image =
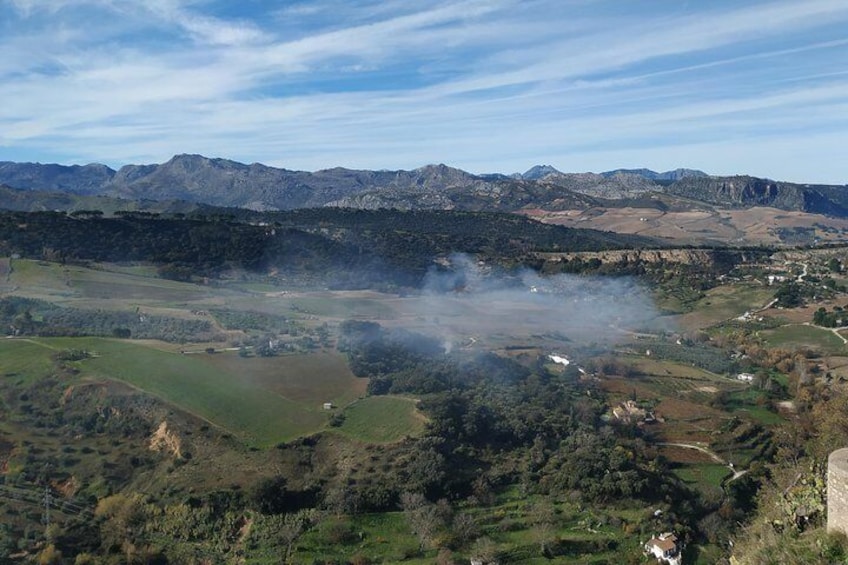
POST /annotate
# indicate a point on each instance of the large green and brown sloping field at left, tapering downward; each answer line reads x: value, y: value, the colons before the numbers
x: 239, y: 395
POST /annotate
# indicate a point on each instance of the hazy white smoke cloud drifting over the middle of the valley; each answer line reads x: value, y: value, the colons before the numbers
x: 466, y: 300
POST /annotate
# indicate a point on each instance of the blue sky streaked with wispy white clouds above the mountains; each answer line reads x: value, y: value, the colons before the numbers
x: 483, y: 85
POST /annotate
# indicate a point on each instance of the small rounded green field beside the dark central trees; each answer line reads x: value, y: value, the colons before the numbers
x: 382, y: 419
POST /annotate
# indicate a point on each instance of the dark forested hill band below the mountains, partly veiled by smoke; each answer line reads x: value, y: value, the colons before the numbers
x: 344, y: 248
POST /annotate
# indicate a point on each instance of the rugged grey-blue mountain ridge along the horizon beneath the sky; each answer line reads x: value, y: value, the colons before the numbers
x: 222, y: 182
